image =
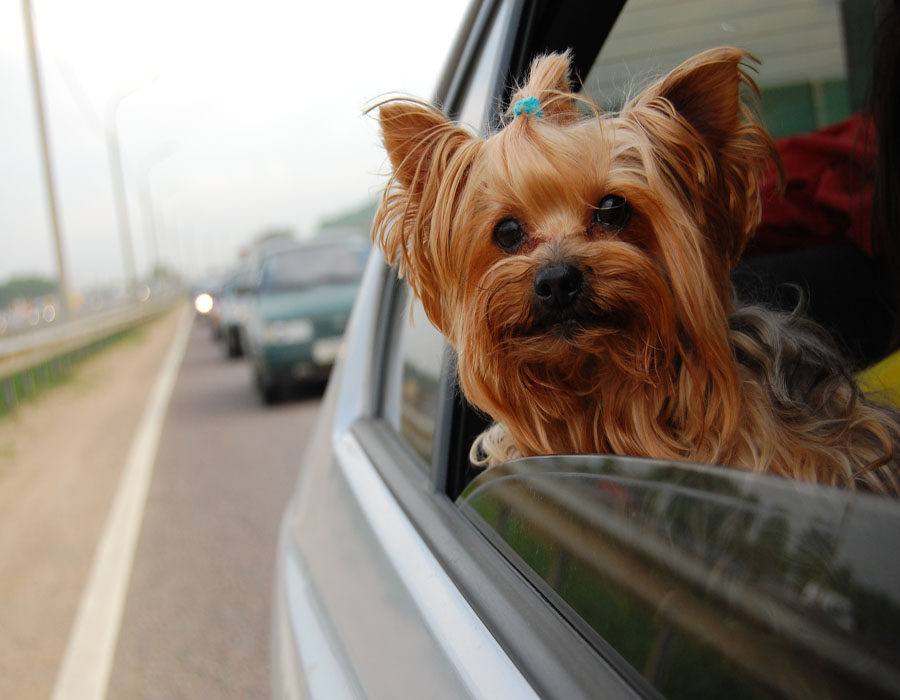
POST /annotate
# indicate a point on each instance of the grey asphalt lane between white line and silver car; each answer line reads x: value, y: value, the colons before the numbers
x: 196, y: 622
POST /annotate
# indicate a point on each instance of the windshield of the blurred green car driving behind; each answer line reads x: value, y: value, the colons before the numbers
x: 307, y: 267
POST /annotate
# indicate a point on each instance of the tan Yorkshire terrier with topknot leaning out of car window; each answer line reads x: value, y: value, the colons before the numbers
x: 579, y: 264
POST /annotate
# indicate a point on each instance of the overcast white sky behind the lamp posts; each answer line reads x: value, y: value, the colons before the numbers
x: 254, y: 120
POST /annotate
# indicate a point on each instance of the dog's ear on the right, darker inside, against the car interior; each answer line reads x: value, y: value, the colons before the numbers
x: 703, y: 119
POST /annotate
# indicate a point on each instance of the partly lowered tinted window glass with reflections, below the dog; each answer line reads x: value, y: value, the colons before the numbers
x: 771, y: 587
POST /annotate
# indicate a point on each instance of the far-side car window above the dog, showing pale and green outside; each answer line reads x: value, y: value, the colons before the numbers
x: 802, y: 74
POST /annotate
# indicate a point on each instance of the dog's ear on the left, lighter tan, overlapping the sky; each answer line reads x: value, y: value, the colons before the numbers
x: 430, y: 157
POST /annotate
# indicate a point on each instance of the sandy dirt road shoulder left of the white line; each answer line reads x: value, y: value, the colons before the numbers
x: 61, y: 458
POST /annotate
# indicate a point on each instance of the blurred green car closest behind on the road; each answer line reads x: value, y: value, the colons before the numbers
x: 303, y: 298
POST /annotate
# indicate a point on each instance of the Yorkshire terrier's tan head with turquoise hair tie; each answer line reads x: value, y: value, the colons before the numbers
x: 575, y: 253
